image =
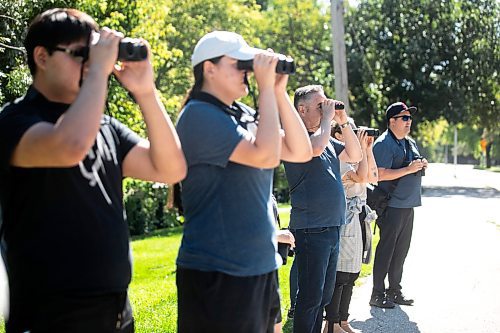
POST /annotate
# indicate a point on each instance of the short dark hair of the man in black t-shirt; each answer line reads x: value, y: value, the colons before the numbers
x: 57, y: 26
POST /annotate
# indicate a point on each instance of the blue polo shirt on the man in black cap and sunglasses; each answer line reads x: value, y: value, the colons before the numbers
x: 390, y: 153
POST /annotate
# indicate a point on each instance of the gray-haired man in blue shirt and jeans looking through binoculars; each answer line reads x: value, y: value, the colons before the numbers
x: 318, y: 204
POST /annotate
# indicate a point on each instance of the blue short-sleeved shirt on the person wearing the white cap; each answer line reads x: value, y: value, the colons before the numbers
x: 229, y: 224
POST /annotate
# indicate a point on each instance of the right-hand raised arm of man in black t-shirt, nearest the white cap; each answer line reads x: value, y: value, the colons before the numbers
x: 160, y: 158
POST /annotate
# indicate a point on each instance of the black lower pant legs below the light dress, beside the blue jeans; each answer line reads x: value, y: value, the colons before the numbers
x: 338, y: 309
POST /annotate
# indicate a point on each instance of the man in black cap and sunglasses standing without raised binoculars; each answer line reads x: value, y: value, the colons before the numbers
x: 400, y: 169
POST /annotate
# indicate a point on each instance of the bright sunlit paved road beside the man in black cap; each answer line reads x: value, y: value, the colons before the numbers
x: 453, y: 268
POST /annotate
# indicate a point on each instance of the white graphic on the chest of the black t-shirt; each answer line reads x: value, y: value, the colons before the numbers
x: 99, y: 153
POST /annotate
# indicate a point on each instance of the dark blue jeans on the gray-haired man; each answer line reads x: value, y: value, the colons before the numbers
x: 317, y: 251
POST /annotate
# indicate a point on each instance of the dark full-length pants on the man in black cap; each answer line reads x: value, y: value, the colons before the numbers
x: 395, y: 236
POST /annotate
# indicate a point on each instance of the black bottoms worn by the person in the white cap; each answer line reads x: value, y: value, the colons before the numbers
x: 214, y: 302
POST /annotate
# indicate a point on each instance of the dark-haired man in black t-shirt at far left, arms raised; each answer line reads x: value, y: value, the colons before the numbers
x: 61, y: 168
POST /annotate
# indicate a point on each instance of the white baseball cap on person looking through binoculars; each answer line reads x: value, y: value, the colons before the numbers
x: 220, y: 43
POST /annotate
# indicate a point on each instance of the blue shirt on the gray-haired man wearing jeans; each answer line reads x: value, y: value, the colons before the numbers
x: 316, y: 191
